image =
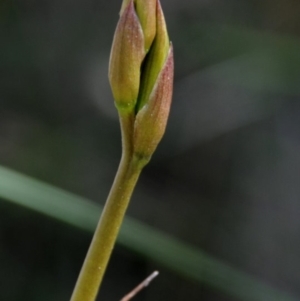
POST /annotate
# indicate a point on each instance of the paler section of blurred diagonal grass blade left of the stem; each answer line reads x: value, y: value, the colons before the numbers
x: 49, y: 200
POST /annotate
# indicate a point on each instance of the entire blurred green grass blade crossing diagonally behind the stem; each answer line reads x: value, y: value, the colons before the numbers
x: 149, y: 242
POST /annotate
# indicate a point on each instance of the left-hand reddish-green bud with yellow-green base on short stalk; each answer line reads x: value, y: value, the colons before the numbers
x: 126, y: 58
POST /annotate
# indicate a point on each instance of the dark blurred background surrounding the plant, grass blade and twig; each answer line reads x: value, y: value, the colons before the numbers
x: 225, y: 178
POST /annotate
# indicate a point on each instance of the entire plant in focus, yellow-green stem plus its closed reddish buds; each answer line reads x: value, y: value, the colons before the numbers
x: 141, y: 72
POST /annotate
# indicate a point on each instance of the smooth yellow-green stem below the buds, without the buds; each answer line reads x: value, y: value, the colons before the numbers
x: 107, y: 230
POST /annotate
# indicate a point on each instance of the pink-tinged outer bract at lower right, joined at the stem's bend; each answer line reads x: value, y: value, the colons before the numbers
x: 151, y: 120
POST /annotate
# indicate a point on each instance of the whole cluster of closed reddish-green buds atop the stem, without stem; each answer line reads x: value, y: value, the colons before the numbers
x: 142, y: 80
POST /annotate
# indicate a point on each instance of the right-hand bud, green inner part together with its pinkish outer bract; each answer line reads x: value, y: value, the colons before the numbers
x: 155, y: 94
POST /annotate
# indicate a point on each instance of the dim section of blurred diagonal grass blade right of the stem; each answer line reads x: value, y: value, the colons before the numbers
x: 196, y: 264
